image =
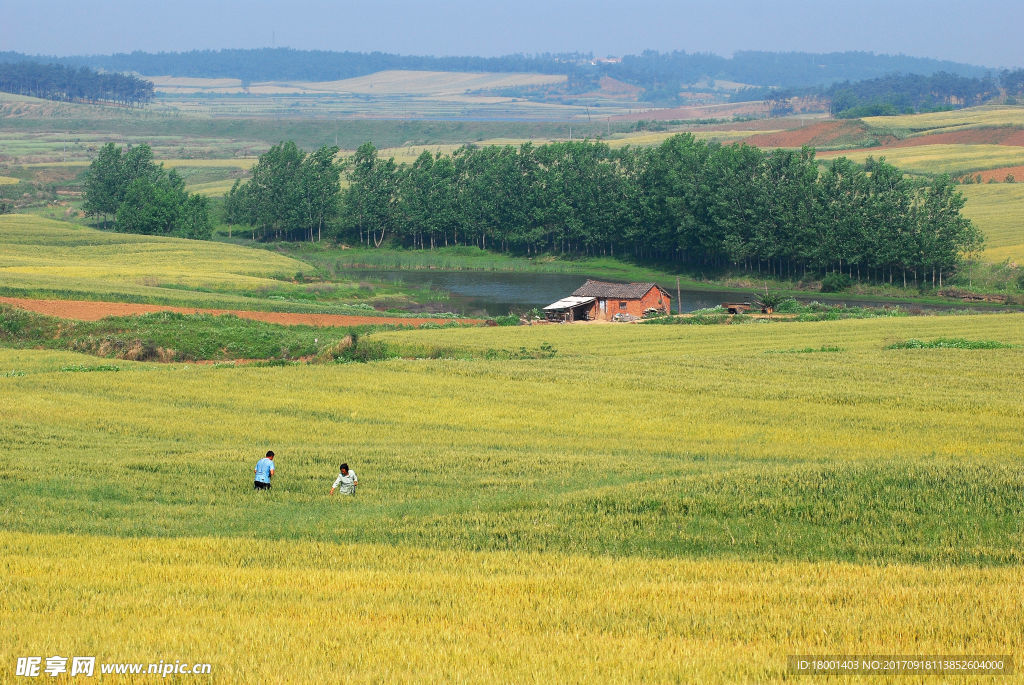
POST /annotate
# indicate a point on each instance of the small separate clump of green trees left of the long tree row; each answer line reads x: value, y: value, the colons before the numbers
x: 142, y: 197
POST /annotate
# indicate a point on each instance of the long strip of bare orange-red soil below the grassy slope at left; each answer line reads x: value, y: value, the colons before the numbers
x: 93, y: 312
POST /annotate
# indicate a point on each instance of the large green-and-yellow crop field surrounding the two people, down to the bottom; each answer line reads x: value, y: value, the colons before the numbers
x: 644, y: 504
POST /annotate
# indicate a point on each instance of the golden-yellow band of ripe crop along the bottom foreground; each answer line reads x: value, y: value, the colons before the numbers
x: 281, y: 612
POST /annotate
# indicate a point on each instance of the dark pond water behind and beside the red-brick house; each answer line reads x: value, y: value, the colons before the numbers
x: 498, y: 293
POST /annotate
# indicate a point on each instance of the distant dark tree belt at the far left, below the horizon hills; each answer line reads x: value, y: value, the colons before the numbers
x: 57, y: 82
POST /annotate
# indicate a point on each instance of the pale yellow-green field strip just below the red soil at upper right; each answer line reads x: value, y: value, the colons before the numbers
x: 951, y: 159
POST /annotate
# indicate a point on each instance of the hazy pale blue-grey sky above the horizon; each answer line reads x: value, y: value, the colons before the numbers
x: 980, y: 32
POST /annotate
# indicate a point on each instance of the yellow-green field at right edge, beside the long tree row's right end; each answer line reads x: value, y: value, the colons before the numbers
x: 999, y: 210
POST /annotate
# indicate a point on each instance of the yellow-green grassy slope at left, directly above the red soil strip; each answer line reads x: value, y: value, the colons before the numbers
x: 46, y: 259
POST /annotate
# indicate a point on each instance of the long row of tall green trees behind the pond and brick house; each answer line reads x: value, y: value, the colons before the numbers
x: 686, y: 203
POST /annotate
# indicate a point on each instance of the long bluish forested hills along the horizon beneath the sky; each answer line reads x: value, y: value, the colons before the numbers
x: 660, y: 74
